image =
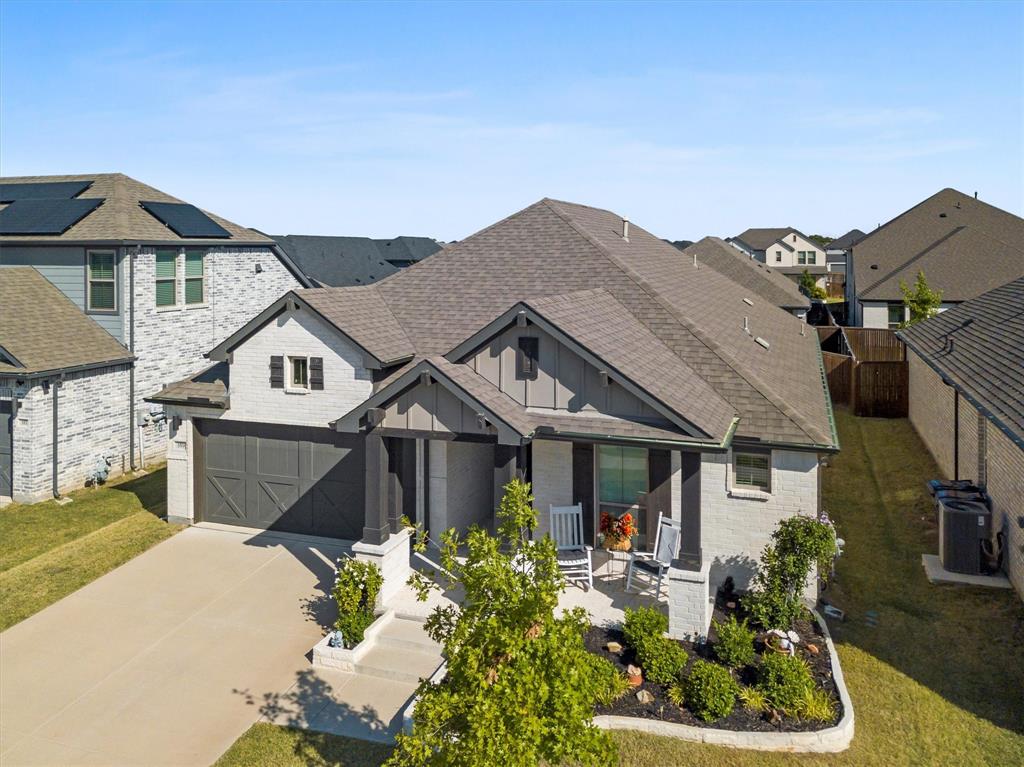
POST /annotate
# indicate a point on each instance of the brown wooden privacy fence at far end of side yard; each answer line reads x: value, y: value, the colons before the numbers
x: 873, y: 378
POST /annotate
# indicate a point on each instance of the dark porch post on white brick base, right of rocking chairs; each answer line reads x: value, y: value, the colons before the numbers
x: 691, y: 603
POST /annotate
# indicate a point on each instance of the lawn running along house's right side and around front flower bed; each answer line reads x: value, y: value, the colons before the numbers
x: 938, y: 681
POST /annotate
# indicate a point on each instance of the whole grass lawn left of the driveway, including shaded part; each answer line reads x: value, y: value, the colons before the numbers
x: 51, y: 550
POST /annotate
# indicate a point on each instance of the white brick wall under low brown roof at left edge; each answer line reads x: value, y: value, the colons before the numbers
x: 93, y: 422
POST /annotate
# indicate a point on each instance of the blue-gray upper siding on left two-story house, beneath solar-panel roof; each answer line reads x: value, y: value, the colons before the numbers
x: 65, y: 268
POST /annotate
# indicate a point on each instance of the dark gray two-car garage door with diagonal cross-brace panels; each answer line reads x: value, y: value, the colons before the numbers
x: 294, y: 480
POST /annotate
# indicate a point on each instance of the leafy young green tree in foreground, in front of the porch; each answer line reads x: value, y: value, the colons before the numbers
x: 522, y: 688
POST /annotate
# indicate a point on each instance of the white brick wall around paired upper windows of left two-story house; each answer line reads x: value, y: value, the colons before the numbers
x: 170, y: 344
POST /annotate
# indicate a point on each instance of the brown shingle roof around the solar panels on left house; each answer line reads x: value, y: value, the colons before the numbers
x: 120, y: 219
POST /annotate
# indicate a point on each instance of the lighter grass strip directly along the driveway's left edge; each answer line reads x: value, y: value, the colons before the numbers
x: 46, y: 579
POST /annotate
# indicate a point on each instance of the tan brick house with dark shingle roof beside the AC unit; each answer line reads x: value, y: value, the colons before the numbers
x: 967, y: 402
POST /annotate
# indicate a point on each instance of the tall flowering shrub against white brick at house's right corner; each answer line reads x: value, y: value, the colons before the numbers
x: 798, y: 544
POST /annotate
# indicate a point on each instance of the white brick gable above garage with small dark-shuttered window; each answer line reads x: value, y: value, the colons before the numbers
x: 347, y: 382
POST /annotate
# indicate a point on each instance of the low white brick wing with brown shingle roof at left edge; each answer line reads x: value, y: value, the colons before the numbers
x: 71, y: 380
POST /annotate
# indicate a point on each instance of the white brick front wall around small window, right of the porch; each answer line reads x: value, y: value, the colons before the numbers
x: 735, y: 529
